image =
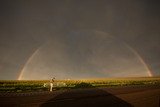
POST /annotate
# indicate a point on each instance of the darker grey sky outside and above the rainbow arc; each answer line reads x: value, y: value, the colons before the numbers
x: 26, y: 25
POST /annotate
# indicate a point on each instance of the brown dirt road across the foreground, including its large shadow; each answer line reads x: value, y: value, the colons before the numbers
x: 94, y: 97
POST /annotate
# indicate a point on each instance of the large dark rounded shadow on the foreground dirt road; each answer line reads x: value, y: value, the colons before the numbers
x: 86, y: 98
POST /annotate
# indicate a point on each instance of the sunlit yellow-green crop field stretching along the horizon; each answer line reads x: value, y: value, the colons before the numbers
x: 43, y: 85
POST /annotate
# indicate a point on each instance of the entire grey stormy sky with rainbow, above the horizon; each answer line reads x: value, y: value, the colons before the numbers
x: 79, y: 38
